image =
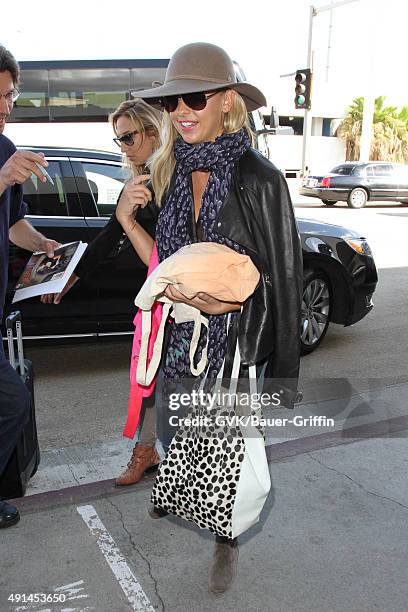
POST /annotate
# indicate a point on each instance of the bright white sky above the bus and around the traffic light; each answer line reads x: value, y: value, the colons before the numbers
x: 268, y: 38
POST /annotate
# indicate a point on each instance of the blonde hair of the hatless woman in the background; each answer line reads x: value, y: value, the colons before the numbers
x: 145, y: 119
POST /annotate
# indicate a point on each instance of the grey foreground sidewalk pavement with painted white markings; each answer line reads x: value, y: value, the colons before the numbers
x: 333, y: 537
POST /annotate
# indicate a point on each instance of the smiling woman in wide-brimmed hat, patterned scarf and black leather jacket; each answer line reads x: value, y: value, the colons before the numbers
x: 211, y: 185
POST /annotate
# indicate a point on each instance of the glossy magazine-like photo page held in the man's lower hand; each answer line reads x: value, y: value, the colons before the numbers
x: 44, y: 274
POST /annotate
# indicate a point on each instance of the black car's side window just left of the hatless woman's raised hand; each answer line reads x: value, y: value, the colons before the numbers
x: 105, y: 182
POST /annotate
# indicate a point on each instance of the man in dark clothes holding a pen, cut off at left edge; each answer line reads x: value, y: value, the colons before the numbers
x: 15, y: 168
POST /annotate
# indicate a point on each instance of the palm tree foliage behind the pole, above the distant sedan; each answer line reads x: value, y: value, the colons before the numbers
x: 390, y: 131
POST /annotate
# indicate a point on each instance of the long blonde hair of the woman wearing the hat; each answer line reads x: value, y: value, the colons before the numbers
x: 163, y: 162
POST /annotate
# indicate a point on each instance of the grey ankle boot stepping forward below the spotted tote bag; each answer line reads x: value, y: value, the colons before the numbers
x: 224, y: 566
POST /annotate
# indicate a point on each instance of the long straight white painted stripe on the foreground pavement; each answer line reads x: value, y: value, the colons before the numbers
x: 114, y: 558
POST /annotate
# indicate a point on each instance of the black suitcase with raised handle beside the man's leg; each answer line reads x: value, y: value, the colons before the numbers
x: 25, y: 459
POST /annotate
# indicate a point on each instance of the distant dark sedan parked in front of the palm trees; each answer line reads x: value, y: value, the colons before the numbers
x: 358, y: 183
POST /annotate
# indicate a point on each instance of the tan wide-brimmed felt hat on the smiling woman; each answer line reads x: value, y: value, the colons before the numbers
x: 202, y: 67
